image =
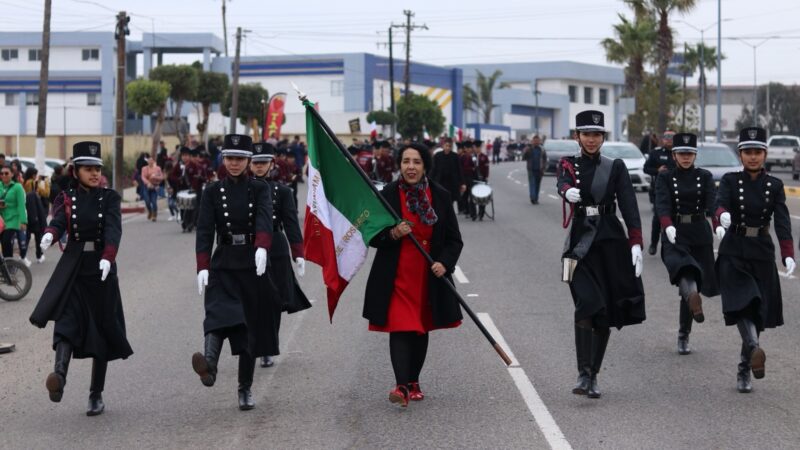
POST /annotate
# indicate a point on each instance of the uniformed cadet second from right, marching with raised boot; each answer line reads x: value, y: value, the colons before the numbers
x: 684, y: 196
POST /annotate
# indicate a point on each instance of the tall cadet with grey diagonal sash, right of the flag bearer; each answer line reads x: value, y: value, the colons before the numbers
x: 602, y: 264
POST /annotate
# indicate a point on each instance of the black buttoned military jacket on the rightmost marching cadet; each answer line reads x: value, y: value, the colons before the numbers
x: 754, y: 203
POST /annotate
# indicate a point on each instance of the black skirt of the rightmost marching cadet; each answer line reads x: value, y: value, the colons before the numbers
x: 751, y: 289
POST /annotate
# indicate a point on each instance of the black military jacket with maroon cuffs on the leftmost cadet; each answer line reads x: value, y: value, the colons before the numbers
x: 89, y: 216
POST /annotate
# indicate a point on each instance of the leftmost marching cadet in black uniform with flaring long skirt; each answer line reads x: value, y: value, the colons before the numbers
x: 82, y: 296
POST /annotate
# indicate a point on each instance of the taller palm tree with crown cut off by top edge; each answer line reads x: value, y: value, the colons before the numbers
x: 661, y: 9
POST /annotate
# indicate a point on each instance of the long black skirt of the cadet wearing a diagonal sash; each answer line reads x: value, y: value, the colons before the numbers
x: 605, y: 288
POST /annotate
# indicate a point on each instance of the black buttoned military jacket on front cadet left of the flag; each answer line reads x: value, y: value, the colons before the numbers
x: 233, y: 206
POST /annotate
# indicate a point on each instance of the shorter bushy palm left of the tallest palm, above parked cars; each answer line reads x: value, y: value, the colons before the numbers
x: 632, y: 45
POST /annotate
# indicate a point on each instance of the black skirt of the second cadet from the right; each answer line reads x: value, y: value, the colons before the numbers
x: 697, y: 260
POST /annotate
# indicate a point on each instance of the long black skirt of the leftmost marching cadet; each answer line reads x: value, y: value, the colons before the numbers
x: 92, y: 319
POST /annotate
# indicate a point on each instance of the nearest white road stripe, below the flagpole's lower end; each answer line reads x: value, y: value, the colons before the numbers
x: 536, y: 406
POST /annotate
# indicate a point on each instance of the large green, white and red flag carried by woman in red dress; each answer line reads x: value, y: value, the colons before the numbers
x: 343, y: 212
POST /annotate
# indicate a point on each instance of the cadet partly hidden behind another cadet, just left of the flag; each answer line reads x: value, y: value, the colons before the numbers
x: 287, y: 235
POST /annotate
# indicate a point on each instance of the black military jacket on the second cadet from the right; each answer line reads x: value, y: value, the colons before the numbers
x: 688, y: 192
